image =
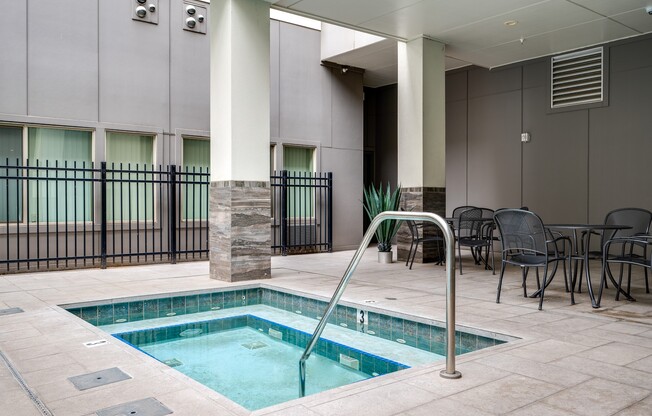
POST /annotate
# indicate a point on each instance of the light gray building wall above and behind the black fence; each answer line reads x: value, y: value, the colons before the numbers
x: 91, y: 66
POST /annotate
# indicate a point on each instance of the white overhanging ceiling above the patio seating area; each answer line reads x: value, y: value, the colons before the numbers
x: 474, y: 31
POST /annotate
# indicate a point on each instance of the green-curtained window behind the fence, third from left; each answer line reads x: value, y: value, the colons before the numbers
x: 132, y: 199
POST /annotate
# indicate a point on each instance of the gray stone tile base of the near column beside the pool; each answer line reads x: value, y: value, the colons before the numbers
x: 239, y: 230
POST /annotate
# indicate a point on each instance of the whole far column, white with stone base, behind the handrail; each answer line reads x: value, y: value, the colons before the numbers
x: 421, y: 135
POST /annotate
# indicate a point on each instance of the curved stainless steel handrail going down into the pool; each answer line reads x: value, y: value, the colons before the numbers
x: 450, y: 371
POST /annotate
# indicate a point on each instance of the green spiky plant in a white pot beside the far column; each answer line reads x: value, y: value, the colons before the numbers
x: 377, y: 201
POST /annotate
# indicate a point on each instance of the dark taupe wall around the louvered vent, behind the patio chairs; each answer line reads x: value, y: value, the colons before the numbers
x: 580, y: 164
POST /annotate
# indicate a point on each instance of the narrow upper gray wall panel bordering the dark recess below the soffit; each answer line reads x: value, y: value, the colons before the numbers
x: 346, y: 109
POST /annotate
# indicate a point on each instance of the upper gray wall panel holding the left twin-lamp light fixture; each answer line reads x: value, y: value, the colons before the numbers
x: 134, y: 66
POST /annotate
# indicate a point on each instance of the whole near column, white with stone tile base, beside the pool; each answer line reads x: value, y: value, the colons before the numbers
x: 239, y: 205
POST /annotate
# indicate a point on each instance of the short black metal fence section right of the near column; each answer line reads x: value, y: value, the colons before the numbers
x: 302, y: 212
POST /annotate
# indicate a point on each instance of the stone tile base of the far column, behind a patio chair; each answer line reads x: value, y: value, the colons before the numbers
x: 422, y: 199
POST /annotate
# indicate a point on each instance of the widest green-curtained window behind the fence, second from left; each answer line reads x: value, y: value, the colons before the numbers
x: 59, y: 200
